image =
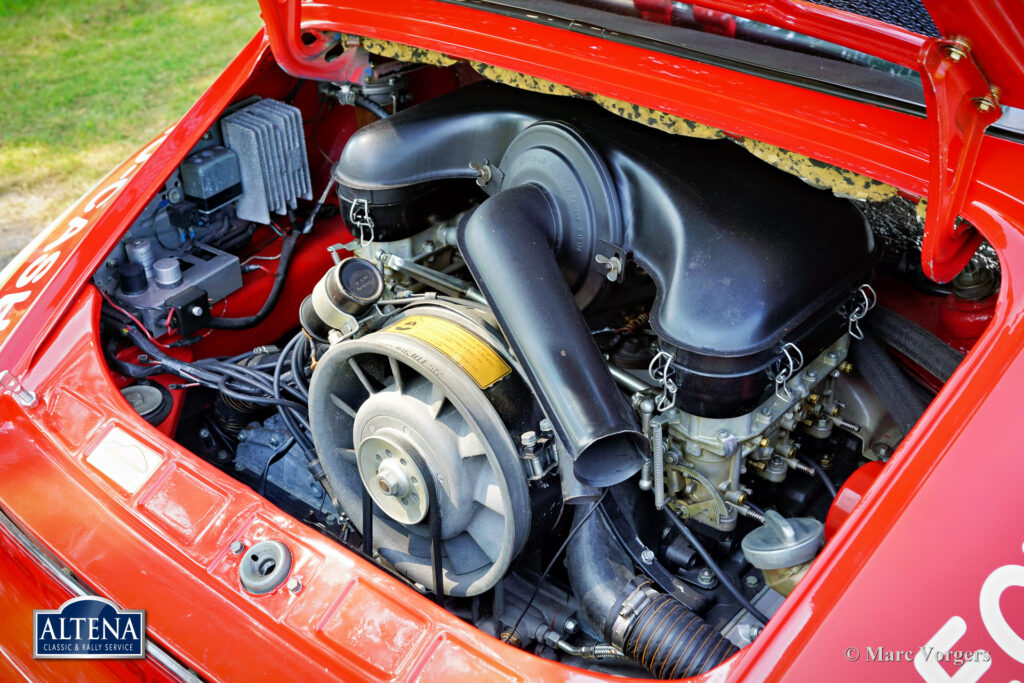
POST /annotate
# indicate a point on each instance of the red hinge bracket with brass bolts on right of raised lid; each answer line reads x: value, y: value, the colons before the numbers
x: 961, y: 105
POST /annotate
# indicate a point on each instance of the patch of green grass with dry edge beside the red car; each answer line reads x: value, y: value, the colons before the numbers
x: 83, y: 83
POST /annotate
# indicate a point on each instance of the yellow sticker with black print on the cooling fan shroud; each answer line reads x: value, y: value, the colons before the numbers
x: 466, y: 350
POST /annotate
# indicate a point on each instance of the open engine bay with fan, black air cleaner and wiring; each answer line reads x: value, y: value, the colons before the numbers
x: 593, y: 388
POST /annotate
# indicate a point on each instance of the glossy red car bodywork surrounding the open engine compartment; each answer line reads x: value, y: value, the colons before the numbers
x: 932, y: 556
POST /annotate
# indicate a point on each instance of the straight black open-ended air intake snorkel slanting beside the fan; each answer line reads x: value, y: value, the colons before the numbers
x: 507, y: 244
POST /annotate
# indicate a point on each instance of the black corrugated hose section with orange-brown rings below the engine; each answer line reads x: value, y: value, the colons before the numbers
x: 671, y: 642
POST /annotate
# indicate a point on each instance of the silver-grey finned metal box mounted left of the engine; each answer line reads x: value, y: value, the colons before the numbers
x: 271, y: 146
